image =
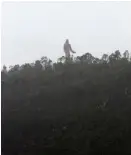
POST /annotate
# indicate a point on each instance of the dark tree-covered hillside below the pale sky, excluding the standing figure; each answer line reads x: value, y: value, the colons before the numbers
x: 79, y: 107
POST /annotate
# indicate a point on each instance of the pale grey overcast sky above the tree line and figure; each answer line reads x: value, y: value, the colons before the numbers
x: 32, y: 30
